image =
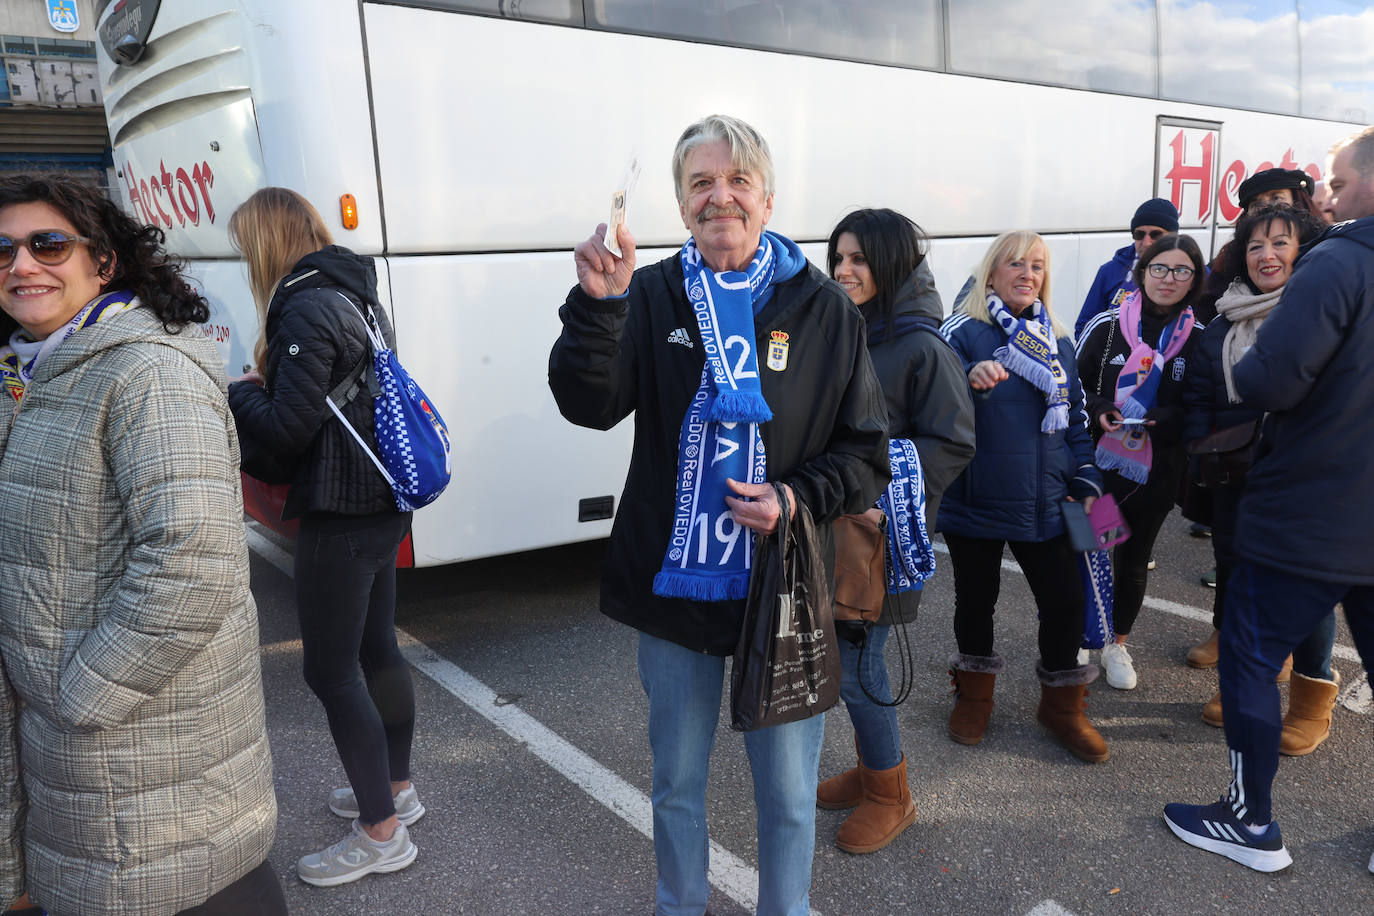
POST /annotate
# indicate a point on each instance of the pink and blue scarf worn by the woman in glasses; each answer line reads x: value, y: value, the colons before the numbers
x: 1127, y: 451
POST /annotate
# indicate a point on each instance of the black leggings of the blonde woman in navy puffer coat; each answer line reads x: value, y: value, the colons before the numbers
x: 1052, y: 572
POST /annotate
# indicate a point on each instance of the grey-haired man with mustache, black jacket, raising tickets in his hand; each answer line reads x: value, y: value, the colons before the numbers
x: 633, y: 343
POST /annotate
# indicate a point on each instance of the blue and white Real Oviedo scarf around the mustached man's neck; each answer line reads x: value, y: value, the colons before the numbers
x: 710, y: 554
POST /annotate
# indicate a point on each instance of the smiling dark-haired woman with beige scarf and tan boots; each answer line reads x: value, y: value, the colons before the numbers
x: 1269, y: 240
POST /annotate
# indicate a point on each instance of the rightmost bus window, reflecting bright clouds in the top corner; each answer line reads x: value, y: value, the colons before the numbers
x: 1338, y: 61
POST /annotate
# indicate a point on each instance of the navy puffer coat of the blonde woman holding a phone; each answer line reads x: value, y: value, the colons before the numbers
x: 1020, y: 476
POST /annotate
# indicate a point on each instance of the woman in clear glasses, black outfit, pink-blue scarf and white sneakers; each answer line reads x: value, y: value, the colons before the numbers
x: 1133, y: 360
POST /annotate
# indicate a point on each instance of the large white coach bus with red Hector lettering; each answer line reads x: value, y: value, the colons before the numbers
x: 480, y: 141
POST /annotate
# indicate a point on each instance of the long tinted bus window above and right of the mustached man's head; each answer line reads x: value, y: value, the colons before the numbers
x: 903, y: 32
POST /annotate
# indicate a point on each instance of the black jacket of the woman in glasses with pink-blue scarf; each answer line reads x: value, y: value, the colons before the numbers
x: 1103, y: 352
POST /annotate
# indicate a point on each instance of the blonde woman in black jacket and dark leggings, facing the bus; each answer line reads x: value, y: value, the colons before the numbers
x: 310, y: 296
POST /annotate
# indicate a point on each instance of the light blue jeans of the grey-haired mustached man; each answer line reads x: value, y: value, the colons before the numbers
x: 685, y: 691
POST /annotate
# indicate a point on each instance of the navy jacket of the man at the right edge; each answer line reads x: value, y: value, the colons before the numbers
x: 1310, y: 495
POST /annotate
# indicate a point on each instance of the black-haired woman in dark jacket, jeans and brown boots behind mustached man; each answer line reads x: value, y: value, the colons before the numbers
x: 880, y: 259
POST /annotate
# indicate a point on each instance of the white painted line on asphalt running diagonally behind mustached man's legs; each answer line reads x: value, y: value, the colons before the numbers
x: 730, y: 874
